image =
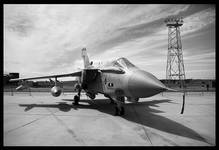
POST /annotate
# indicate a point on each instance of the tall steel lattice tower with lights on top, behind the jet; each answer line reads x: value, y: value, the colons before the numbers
x: 175, y: 66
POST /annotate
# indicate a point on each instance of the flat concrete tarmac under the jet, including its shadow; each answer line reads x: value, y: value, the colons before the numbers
x: 44, y: 120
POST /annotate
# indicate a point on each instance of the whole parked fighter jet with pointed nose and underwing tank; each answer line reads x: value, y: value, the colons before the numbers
x: 118, y: 80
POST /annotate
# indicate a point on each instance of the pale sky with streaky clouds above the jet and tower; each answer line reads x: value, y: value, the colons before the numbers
x: 47, y: 39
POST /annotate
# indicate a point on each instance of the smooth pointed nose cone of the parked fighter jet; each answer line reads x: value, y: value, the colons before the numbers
x: 144, y: 84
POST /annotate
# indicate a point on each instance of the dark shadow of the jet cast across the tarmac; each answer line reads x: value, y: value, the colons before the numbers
x: 140, y: 113
